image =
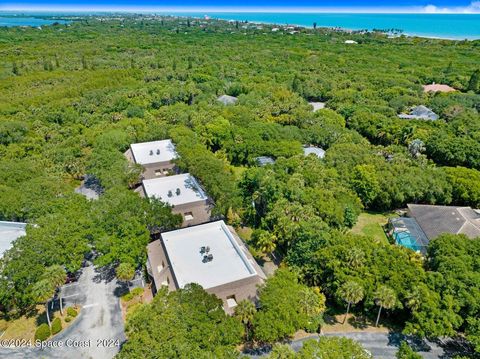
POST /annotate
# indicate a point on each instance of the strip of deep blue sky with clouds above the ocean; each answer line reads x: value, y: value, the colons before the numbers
x: 427, y: 6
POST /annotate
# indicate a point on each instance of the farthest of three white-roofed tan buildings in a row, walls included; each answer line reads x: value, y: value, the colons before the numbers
x: 156, y: 157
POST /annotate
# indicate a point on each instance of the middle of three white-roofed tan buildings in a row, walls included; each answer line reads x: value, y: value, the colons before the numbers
x: 183, y: 193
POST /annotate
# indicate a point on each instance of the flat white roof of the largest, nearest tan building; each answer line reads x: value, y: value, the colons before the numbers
x: 229, y: 262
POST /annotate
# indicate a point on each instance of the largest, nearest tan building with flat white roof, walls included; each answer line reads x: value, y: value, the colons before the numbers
x: 211, y: 255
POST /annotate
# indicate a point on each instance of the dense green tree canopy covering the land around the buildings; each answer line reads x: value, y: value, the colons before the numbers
x: 73, y: 97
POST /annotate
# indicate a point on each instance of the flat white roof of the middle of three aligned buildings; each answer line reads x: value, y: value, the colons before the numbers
x: 174, y: 190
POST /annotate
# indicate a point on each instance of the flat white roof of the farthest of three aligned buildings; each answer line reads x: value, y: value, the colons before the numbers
x: 152, y: 152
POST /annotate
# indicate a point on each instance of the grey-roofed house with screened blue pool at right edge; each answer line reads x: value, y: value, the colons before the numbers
x: 426, y: 222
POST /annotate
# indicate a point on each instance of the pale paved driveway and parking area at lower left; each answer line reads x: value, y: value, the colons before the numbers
x: 97, y: 332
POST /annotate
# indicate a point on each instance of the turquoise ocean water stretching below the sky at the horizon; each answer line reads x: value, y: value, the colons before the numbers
x: 443, y: 26
